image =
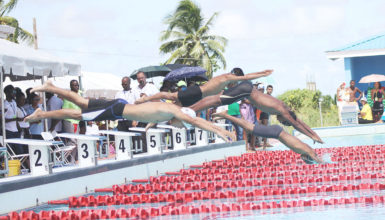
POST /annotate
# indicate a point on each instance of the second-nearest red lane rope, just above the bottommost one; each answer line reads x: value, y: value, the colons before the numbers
x: 75, y: 202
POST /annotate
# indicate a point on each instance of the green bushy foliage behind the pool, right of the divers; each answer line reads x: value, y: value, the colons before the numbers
x: 306, y: 105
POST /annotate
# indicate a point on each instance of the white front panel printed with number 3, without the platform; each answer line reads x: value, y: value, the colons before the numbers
x: 86, y: 153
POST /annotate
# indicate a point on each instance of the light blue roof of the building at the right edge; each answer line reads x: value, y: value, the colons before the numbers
x: 372, y: 46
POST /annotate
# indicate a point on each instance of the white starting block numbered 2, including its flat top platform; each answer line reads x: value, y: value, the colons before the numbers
x: 39, y: 157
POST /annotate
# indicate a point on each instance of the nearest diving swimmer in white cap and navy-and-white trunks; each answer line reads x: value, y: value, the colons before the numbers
x: 98, y: 110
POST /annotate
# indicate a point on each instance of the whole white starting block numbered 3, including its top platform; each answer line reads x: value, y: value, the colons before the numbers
x: 86, y: 146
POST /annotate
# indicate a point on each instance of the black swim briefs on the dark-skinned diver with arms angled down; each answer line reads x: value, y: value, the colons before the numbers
x: 236, y: 93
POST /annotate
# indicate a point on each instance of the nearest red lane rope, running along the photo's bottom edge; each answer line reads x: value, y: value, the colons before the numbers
x: 191, y: 210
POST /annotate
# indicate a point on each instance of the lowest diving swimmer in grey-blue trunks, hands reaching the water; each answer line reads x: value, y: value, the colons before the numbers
x: 274, y: 131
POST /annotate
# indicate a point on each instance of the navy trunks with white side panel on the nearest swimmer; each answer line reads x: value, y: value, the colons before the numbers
x: 100, y: 110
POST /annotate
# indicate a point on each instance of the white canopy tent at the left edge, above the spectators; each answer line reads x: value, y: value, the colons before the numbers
x: 18, y: 62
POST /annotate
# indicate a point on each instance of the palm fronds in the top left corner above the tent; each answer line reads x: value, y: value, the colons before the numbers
x: 20, y: 34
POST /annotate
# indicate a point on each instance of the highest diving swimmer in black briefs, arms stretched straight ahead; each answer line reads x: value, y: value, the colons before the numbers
x: 195, y: 93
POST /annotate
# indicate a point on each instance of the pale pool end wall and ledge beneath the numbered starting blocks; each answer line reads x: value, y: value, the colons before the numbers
x: 25, y: 191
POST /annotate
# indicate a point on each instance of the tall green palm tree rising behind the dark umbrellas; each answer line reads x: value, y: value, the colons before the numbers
x: 189, y: 39
